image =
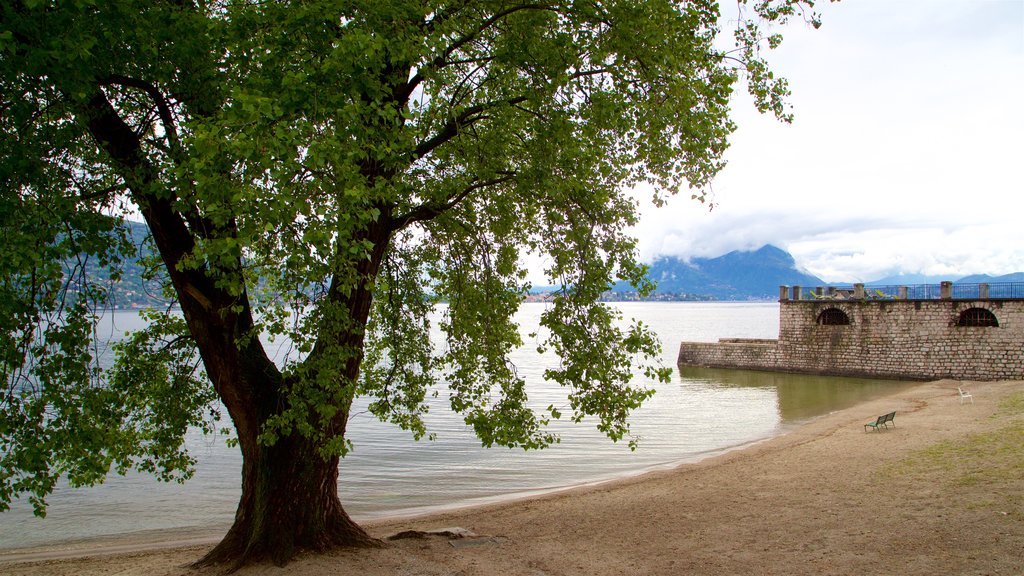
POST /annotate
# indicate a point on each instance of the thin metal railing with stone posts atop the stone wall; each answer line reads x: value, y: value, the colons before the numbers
x: 947, y: 291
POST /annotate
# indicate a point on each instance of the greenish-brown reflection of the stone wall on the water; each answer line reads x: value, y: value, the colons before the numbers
x: 798, y: 397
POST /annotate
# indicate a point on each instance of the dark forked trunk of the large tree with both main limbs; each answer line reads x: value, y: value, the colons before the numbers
x: 289, y: 490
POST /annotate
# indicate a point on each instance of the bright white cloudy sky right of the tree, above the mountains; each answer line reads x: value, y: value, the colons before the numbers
x: 906, y: 155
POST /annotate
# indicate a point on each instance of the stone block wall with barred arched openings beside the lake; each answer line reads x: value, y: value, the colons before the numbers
x: 886, y: 339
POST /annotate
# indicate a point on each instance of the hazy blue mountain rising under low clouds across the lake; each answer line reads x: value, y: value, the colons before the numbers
x: 737, y: 276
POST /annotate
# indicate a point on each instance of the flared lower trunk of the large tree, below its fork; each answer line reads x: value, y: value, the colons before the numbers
x: 289, y: 504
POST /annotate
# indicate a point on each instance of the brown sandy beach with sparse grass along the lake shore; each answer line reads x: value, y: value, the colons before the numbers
x: 941, y: 493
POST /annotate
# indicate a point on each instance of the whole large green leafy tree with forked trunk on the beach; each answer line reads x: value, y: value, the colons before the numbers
x: 329, y: 172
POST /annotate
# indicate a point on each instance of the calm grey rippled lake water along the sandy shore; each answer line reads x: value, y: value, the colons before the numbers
x: 701, y: 414
